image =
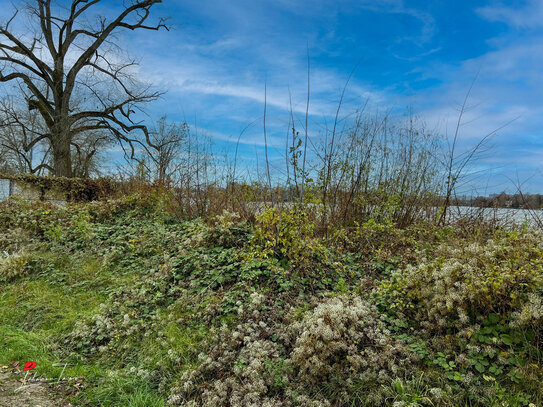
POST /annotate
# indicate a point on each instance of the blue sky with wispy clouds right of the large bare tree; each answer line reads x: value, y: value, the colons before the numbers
x: 215, y: 62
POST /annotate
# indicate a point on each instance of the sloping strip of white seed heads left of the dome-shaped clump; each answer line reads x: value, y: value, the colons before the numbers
x: 235, y: 364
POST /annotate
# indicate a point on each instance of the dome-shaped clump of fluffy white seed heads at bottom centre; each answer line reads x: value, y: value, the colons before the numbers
x: 344, y: 339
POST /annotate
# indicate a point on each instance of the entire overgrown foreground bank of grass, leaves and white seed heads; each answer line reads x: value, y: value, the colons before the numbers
x: 158, y: 309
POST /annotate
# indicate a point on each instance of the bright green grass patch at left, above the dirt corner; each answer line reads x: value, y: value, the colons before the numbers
x: 57, y: 288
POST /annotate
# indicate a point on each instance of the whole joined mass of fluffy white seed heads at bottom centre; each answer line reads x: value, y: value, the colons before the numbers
x: 268, y: 361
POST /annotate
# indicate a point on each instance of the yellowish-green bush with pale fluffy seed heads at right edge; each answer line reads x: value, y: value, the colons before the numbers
x: 479, y: 278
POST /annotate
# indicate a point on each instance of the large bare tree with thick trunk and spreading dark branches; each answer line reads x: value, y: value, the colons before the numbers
x: 70, y: 56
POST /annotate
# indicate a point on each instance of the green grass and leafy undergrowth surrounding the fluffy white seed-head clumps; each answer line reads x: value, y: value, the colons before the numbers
x: 146, y: 289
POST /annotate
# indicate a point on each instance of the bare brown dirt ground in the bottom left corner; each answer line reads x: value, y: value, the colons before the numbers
x: 31, y: 395
